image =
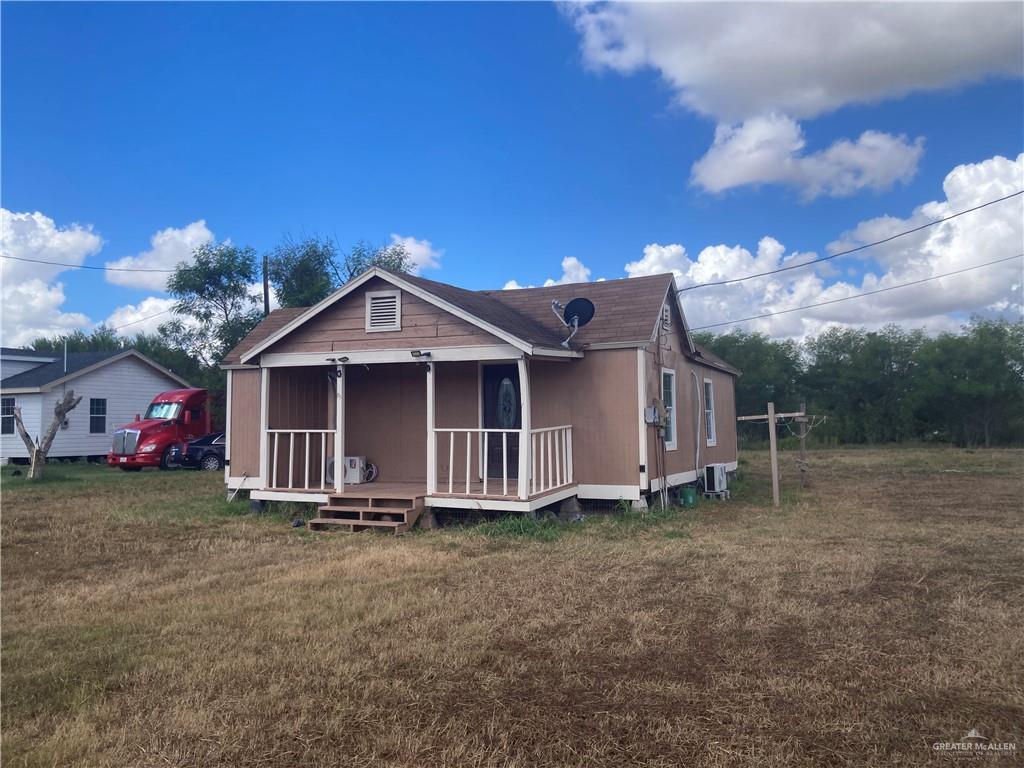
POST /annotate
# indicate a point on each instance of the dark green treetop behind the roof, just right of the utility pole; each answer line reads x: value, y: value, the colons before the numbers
x: 304, y: 273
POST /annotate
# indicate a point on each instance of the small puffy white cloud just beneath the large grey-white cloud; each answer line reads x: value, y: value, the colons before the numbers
x: 771, y: 150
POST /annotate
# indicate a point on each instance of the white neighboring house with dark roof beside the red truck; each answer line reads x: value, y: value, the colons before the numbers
x: 114, y: 388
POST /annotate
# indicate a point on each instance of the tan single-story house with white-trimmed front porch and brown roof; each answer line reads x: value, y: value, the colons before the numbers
x: 472, y: 400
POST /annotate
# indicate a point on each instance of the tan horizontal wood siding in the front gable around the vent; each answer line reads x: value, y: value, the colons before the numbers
x: 343, y: 327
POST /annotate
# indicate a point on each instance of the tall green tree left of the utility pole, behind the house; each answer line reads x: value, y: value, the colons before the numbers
x: 216, y: 293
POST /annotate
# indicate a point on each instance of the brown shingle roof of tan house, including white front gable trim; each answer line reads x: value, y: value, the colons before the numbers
x: 628, y: 311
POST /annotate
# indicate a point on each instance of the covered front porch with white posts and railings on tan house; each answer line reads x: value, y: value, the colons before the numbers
x: 453, y: 433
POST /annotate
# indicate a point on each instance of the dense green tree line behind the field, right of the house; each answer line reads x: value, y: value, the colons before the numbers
x: 892, y: 386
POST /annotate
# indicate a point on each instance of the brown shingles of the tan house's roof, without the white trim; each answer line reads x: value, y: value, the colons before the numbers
x: 628, y: 311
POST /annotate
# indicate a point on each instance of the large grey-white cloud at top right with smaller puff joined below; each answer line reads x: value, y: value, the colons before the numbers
x: 757, y: 69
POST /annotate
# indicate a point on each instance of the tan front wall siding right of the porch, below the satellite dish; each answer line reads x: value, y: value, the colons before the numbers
x: 599, y: 397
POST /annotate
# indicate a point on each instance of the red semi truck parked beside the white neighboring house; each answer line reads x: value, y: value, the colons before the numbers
x: 174, y: 418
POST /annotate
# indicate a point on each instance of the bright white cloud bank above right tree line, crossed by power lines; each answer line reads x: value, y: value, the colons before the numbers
x: 985, y: 236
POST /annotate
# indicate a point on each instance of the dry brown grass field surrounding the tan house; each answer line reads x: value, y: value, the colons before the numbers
x: 148, y: 623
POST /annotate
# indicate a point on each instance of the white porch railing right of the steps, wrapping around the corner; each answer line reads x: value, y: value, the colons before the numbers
x: 550, y: 464
